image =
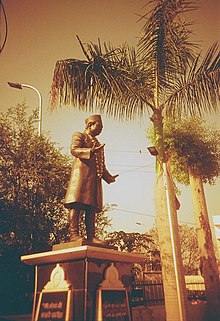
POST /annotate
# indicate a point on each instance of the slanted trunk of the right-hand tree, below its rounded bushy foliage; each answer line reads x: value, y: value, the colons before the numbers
x: 208, y: 262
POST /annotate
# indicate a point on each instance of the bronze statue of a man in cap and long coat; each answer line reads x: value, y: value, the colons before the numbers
x: 85, y: 186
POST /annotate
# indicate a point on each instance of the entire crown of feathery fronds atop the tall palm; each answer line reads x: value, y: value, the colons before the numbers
x: 165, y: 72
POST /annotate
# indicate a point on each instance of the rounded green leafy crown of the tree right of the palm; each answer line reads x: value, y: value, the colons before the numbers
x: 192, y: 143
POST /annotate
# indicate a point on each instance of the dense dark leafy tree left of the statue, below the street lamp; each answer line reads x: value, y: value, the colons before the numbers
x: 33, y: 178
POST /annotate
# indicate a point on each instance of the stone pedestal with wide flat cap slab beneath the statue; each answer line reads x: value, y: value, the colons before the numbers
x: 67, y: 281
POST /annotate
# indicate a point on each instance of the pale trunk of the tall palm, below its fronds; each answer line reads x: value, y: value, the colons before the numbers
x: 176, y: 302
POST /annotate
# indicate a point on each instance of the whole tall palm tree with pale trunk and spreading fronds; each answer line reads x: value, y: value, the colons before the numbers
x: 163, y: 76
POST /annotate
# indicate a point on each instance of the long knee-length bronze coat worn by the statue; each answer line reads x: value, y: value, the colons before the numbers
x: 88, y: 170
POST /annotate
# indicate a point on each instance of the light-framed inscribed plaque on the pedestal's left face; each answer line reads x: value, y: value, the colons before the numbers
x: 54, y: 306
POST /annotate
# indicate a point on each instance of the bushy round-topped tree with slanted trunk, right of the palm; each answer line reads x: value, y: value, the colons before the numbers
x: 194, y: 150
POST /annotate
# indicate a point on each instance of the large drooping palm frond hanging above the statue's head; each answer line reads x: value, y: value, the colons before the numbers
x: 110, y: 78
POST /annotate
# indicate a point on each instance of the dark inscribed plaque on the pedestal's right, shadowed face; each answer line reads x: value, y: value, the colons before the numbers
x: 114, y: 305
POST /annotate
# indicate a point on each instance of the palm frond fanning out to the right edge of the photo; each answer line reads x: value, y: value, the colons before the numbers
x: 198, y: 91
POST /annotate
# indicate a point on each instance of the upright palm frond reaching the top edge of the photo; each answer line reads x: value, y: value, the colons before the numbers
x: 165, y: 41
